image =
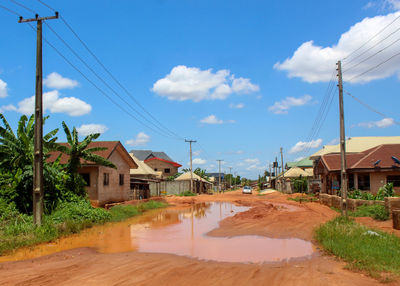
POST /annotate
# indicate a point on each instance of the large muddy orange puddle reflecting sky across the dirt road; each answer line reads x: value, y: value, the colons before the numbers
x: 180, y: 231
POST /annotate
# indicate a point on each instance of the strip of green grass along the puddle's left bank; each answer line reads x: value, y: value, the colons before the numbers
x: 18, y: 230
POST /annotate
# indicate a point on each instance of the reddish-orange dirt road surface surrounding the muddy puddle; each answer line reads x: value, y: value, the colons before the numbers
x: 271, y: 215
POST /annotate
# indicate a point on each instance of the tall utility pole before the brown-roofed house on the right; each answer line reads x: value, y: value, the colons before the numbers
x: 343, y: 166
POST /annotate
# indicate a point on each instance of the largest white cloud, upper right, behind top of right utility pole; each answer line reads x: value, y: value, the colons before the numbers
x: 313, y: 63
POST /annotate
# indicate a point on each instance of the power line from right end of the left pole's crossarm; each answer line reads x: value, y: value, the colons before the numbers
x: 112, y: 76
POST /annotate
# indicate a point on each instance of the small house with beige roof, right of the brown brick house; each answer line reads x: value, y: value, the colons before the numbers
x: 140, y: 179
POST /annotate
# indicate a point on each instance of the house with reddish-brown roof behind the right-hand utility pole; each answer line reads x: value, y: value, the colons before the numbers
x: 367, y: 170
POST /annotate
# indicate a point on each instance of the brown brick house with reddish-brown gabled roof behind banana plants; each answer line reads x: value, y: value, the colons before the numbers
x: 103, y: 184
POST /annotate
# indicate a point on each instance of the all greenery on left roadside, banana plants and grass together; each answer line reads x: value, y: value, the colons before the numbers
x: 66, y: 206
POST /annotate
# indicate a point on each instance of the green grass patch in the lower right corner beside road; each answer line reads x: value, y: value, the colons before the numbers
x: 376, y: 254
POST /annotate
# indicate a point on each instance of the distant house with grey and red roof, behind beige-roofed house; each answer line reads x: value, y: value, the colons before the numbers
x: 158, y: 161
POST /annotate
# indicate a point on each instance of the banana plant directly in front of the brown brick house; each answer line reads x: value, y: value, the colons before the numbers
x: 77, y: 151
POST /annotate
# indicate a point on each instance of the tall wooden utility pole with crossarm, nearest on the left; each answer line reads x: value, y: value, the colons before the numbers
x: 38, y: 192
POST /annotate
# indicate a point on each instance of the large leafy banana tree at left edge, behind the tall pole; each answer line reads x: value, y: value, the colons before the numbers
x: 16, y: 162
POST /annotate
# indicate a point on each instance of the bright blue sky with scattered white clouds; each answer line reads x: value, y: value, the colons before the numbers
x: 243, y: 78
